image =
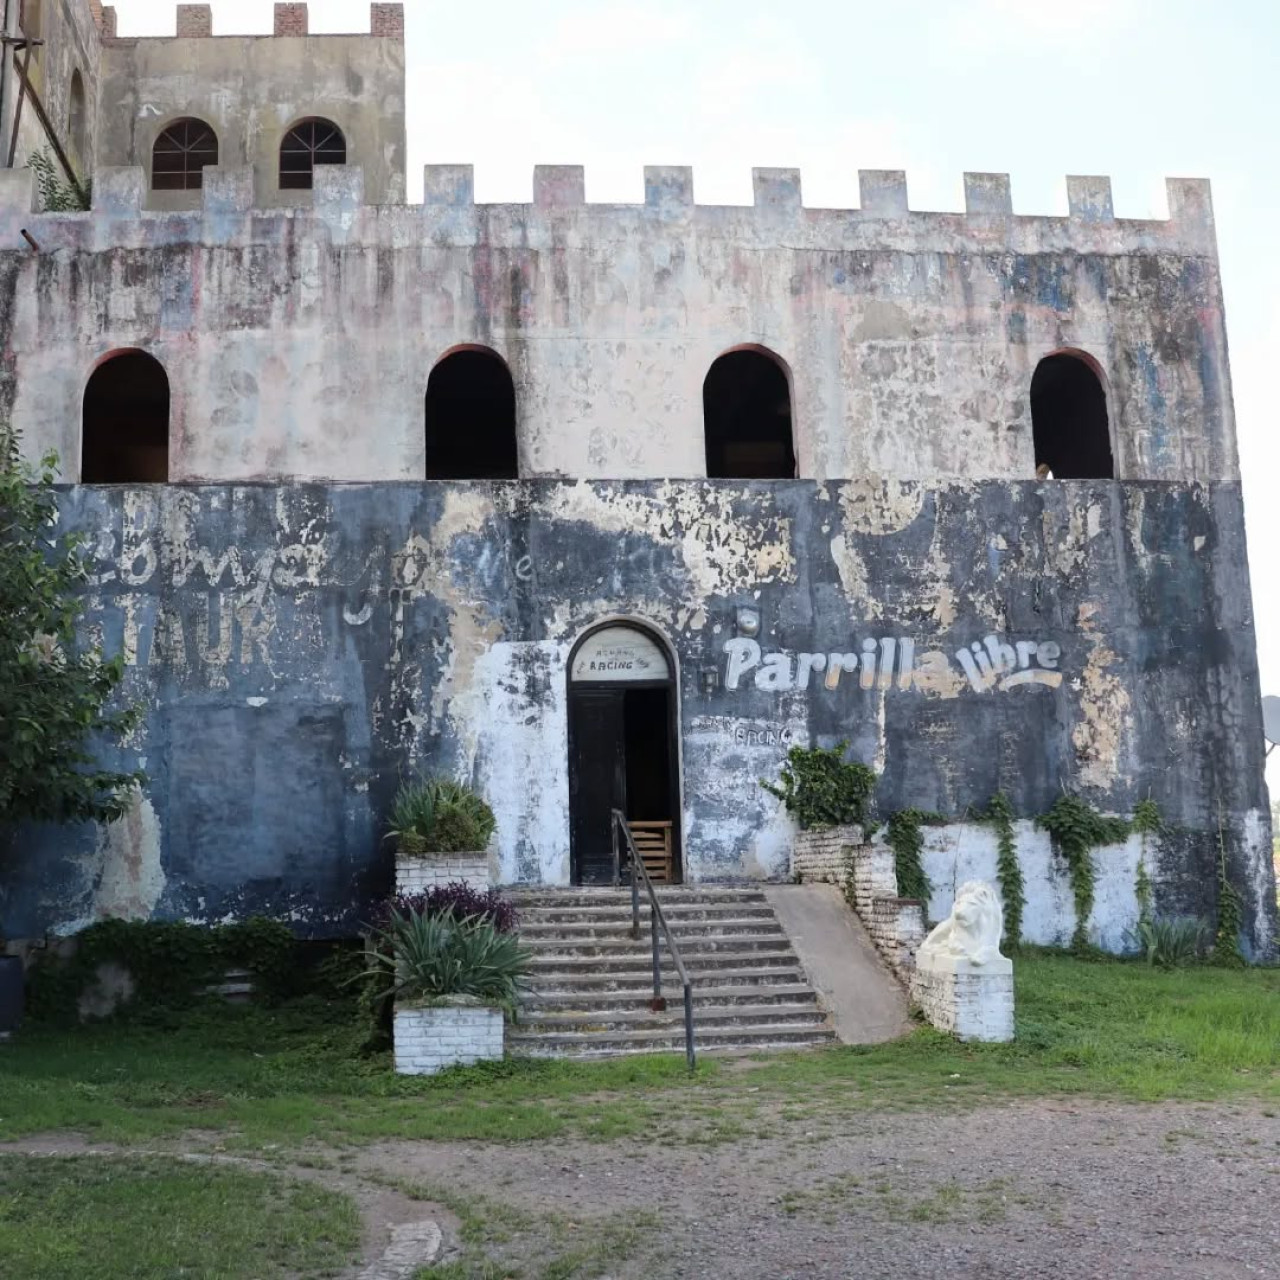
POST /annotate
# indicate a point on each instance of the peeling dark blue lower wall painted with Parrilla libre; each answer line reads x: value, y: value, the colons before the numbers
x: 300, y: 647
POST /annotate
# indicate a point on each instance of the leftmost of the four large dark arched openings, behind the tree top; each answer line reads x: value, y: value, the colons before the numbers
x: 126, y: 422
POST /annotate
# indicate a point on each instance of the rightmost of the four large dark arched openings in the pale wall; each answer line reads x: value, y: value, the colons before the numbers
x: 1069, y: 419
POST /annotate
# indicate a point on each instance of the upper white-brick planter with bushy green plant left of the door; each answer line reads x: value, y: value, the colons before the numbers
x: 442, y: 831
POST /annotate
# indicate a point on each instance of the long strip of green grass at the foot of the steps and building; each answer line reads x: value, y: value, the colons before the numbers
x: 268, y: 1078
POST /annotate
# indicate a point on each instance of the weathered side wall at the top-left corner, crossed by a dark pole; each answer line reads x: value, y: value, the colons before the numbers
x: 72, y: 44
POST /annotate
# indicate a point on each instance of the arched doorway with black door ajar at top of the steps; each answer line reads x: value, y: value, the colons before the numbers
x: 623, y: 755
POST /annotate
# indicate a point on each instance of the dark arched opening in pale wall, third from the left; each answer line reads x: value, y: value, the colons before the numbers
x: 747, y: 415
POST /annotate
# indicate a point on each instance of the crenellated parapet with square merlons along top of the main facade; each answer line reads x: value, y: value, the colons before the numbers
x: 885, y: 222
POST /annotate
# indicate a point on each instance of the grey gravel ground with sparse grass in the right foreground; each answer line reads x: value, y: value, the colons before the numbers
x: 1050, y: 1190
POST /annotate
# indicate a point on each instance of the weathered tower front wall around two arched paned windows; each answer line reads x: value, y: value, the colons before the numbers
x: 253, y: 90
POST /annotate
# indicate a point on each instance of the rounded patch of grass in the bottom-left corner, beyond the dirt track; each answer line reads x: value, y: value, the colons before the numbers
x: 117, y: 1218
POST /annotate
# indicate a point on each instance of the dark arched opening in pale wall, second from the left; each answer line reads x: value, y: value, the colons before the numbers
x: 472, y: 418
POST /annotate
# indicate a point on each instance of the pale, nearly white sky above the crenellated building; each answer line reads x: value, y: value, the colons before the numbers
x: 1037, y: 89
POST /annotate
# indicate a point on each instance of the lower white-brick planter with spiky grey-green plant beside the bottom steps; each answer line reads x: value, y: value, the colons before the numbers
x: 454, y: 980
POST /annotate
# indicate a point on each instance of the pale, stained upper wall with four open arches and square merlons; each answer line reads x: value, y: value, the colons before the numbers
x: 911, y: 337
